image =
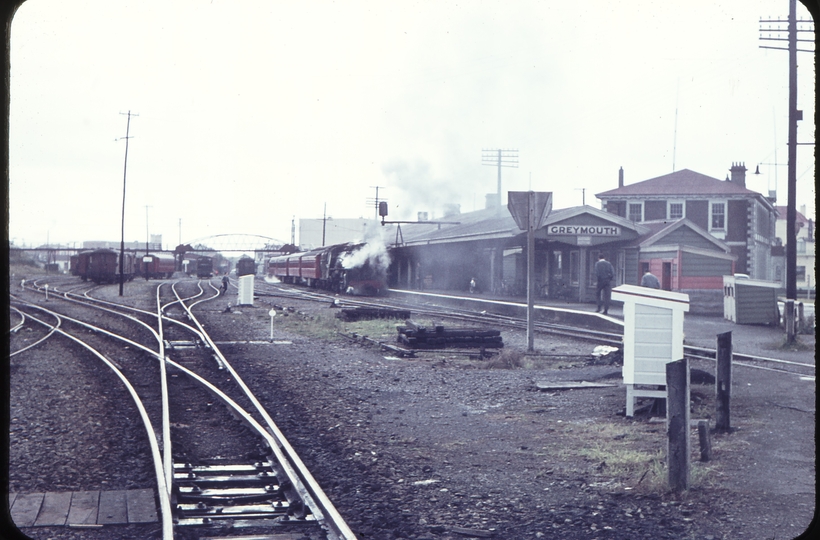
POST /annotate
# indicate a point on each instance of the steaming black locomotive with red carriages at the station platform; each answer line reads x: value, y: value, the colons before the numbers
x: 343, y: 268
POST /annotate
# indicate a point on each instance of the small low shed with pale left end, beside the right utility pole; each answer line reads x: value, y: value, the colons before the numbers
x: 750, y: 301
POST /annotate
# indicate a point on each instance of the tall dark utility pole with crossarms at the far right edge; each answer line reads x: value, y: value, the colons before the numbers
x: 794, y: 116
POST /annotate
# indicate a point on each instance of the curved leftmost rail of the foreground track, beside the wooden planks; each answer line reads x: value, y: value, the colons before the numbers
x: 165, y: 501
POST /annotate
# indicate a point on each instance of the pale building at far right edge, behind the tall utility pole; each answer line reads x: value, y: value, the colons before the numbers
x: 805, y: 274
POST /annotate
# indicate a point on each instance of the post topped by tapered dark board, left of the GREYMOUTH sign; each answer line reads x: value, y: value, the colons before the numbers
x: 530, y: 209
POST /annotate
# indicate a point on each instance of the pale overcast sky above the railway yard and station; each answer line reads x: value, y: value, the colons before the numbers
x: 256, y: 112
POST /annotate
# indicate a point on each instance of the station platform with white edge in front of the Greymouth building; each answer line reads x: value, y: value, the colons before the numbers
x: 699, y: 330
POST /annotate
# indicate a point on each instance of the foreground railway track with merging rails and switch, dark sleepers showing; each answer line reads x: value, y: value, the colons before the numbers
x: 249, y: 478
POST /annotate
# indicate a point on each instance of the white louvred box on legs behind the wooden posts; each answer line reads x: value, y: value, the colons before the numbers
x: 653, y: 337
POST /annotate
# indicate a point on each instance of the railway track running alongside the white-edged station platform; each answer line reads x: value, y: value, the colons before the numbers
x: 485, y: 318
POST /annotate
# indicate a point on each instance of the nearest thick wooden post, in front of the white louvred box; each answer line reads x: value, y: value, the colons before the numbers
x: 677, y: 421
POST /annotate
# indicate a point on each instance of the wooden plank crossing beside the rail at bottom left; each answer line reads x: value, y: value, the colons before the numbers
x: 83, y: 508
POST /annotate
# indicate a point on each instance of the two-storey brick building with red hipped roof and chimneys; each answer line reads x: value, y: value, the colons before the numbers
x: 741, y: 218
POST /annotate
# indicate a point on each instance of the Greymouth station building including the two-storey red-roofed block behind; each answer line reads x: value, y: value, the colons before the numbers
x: 686, y: 228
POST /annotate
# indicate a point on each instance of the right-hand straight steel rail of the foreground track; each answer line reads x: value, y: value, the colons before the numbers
x: 315, y: 497
